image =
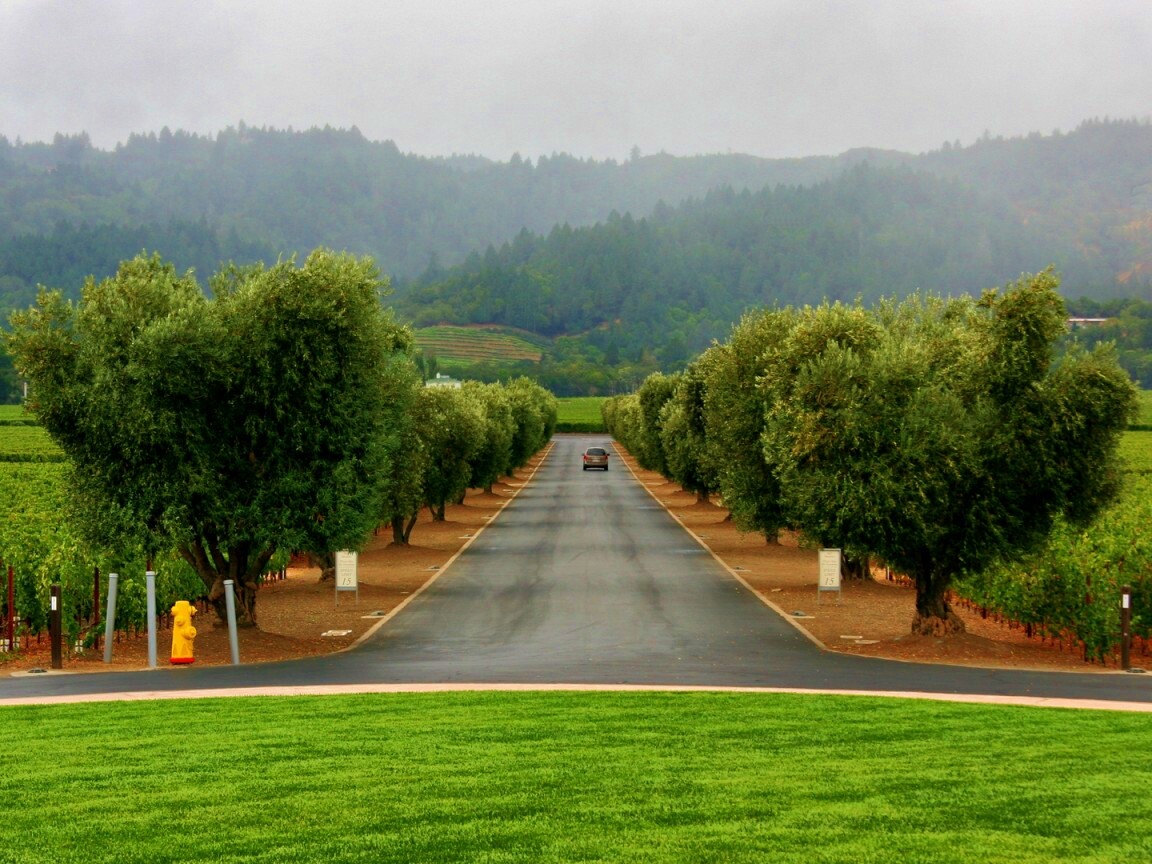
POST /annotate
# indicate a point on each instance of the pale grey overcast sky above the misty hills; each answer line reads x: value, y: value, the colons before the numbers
x: 589, y: 78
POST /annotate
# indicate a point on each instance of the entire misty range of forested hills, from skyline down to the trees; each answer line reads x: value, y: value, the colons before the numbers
x: 642, y: 261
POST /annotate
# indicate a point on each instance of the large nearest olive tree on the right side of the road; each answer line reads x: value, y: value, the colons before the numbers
x: 942, y: 436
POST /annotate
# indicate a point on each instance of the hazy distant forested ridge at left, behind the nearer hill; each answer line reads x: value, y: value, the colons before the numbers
x: 67, y: 208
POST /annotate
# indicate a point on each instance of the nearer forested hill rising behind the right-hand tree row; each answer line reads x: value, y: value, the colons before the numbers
x: 676, y: 281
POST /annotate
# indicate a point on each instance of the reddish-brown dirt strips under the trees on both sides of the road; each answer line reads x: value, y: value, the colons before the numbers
x: 300, y: 616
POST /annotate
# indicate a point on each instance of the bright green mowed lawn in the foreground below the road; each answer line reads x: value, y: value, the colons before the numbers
x: 573, y: 778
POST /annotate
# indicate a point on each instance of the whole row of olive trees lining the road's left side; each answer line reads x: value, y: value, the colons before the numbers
x: 285, y: 413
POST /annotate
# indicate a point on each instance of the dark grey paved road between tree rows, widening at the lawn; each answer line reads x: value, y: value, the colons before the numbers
x: 585, y: 579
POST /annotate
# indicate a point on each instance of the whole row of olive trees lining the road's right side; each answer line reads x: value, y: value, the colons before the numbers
x: 939, y: 437
